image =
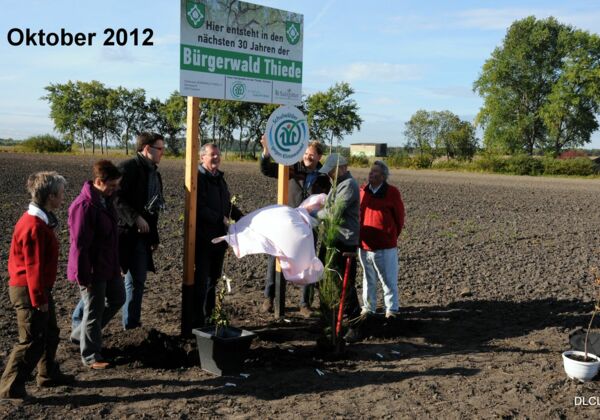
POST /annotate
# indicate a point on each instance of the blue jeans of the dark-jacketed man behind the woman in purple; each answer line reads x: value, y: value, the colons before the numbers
x: 135, y: 281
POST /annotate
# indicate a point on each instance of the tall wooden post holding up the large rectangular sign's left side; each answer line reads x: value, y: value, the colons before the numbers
x: 192, y: 139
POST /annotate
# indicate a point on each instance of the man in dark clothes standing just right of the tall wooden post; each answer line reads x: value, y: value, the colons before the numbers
x: 215, y: 210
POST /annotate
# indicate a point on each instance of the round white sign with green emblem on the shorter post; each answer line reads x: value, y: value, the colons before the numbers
x: 287, y: 135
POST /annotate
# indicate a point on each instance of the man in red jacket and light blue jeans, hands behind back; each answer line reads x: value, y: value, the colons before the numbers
x: 381, y: 221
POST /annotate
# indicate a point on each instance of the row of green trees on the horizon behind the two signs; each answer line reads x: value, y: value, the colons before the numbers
x: 88, y: 113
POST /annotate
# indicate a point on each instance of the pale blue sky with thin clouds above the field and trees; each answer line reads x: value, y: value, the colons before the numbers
x: 399, y: 56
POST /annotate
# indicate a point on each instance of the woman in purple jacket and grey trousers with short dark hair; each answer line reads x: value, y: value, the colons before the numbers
x: 94, y: 261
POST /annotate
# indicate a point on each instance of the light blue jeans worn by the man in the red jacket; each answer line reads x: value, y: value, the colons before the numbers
x: 380, y: 266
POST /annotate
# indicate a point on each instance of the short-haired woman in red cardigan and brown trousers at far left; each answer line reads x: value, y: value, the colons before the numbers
x: 32, y: 265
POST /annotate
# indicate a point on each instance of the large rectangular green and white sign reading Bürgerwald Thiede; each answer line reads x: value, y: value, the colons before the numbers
x: 240, y: 51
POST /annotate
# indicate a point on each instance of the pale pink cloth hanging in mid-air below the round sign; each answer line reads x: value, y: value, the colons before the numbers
x: 281, y: 231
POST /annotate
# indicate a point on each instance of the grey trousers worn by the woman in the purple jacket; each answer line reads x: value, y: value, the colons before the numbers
x: 96, y: 308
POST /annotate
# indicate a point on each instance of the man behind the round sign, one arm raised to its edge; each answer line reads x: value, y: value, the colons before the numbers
x: 305, y: 180
